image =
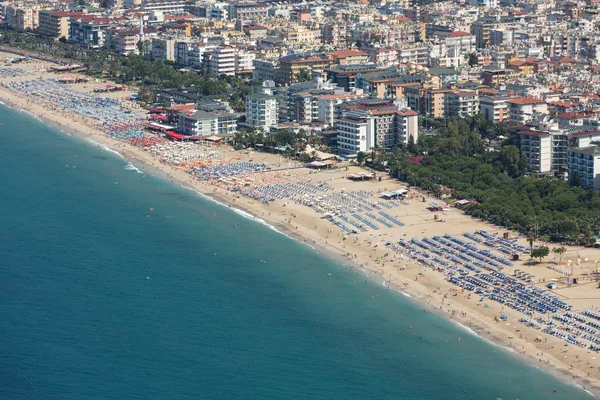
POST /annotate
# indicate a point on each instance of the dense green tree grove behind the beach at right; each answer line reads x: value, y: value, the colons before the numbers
x: 456, y: 157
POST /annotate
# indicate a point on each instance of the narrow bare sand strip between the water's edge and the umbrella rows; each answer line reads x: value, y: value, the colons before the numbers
x: 479, y: 325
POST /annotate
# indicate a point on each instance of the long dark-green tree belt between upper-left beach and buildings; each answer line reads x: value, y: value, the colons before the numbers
x: 134, y: 69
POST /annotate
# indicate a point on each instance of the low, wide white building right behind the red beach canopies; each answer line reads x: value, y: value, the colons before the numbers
x: 206, y: 123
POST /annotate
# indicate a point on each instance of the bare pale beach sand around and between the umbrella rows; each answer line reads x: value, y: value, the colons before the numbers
x: 366, y: 250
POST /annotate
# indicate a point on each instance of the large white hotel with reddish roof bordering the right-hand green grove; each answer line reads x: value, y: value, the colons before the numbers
x: 369, y: 122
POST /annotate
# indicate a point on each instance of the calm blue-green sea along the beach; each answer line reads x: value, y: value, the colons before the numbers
x: 118, y: 284
